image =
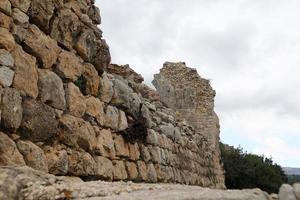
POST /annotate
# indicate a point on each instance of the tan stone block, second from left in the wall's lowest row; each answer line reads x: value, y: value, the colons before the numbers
x: 33, y: 155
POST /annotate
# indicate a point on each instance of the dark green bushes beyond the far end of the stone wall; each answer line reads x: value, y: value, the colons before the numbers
x: 245, y: 170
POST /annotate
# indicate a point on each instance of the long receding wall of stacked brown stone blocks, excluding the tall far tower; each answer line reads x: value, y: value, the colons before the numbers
x: 66, y: 110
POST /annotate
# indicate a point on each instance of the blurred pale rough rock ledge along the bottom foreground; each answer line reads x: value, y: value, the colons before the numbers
x: 25, y: 183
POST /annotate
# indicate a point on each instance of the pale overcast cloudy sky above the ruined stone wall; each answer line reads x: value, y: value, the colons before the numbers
x: 249, y: 49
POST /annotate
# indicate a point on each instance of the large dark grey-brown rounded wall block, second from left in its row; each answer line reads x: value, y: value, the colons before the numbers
x: 39, y: 122
